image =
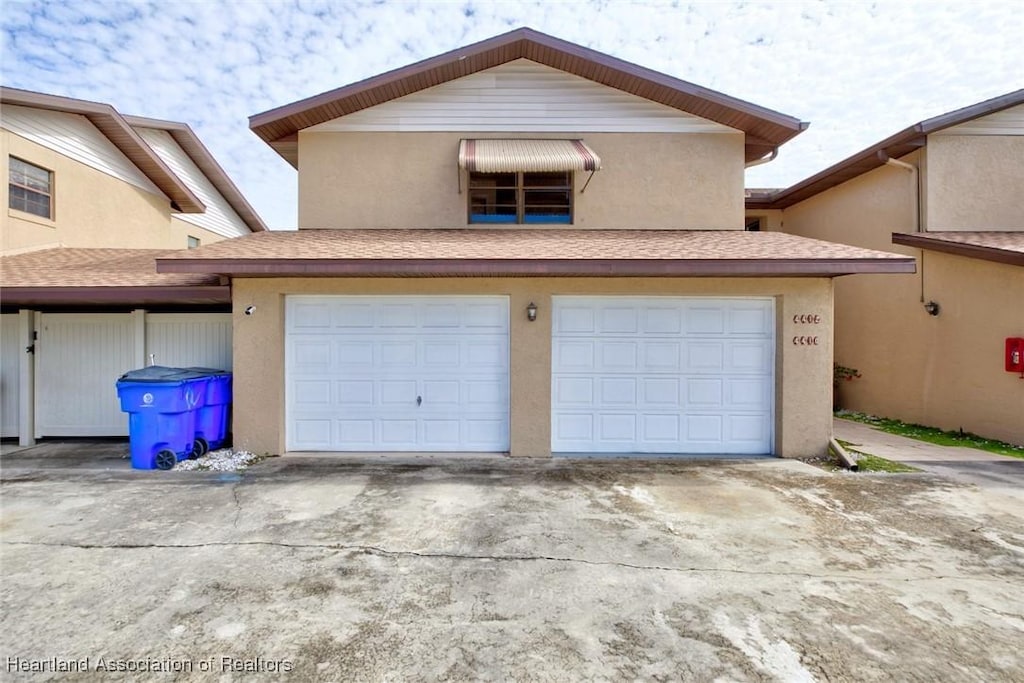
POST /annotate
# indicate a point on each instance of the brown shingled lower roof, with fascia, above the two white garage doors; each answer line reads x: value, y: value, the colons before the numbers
x: 509, y: 252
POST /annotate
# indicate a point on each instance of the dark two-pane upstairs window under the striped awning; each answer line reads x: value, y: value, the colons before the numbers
x: 525, y: 197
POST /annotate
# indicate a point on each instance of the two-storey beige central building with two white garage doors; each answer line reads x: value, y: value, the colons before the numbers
x: 527, y: 246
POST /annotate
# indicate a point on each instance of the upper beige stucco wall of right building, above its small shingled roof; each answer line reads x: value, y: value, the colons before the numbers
x: 975, y: 183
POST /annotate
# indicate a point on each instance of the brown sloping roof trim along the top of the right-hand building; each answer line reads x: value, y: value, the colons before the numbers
x: 895, y: 147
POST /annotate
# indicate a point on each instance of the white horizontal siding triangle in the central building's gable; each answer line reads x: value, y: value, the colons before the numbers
x: 523, y: 96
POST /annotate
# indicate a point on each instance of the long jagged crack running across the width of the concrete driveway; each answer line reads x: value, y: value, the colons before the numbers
x: 383, y: 552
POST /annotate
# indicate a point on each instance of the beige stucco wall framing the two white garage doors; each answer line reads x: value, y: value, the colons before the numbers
x: 803, y: 417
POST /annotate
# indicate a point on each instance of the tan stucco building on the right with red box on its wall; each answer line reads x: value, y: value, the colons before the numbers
x: 930, y: 347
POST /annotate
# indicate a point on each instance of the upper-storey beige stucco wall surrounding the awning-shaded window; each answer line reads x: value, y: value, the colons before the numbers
x: 649, y: 181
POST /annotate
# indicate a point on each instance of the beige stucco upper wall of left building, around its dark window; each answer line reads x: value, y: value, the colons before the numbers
x: 92, y: 209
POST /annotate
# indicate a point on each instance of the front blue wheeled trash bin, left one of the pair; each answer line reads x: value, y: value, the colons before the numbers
x: 162, y: 405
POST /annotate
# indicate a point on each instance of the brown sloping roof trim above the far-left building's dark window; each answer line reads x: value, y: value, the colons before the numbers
x: 118, y: 132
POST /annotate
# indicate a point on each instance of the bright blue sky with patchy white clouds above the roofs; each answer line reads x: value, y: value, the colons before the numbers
x: 858, y: 71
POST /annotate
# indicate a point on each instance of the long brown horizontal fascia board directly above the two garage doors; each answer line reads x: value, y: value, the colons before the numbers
x: 538, y: 268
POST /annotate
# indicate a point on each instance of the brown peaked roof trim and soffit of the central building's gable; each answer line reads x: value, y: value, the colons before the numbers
x: 766, y: 130
